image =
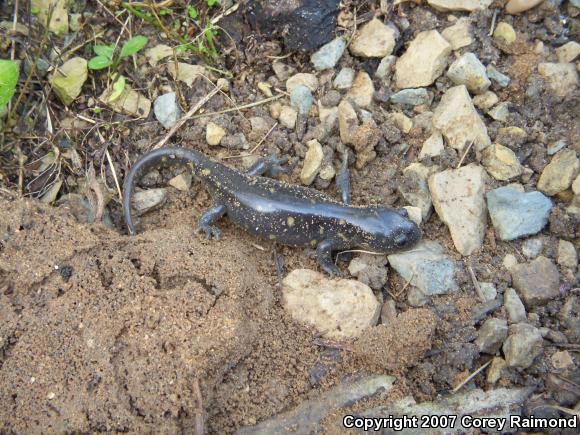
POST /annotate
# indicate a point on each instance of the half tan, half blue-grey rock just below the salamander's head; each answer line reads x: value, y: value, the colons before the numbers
x: 427, y: 267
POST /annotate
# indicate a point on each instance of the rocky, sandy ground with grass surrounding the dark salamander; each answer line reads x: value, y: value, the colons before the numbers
x: 463, y: 112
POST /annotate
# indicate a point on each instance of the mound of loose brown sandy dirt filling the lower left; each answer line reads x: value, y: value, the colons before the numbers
x: 100, y: 331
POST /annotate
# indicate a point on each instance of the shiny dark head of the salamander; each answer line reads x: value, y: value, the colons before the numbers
x: 391, y: 230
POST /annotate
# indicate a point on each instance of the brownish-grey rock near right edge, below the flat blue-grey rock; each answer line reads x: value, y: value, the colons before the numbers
x: 538, y: 282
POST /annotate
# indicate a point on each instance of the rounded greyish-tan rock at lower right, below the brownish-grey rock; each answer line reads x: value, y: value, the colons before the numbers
x: 522, y: 346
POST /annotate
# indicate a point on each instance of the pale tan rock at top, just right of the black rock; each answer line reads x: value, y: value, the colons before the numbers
x: 375, y: 39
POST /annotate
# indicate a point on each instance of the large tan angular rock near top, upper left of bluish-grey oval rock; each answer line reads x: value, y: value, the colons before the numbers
x: 423, y: 62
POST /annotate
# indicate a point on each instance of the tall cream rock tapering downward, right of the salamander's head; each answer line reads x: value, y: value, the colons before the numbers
x: 458, y: 198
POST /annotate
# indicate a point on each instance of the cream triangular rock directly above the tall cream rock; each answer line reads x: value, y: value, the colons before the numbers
x: 458, y: 120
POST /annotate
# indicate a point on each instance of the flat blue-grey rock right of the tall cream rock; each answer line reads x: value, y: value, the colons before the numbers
x: 516, y: 214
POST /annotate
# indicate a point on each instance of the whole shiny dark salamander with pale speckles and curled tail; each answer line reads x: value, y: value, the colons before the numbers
x: 274, y: 210
